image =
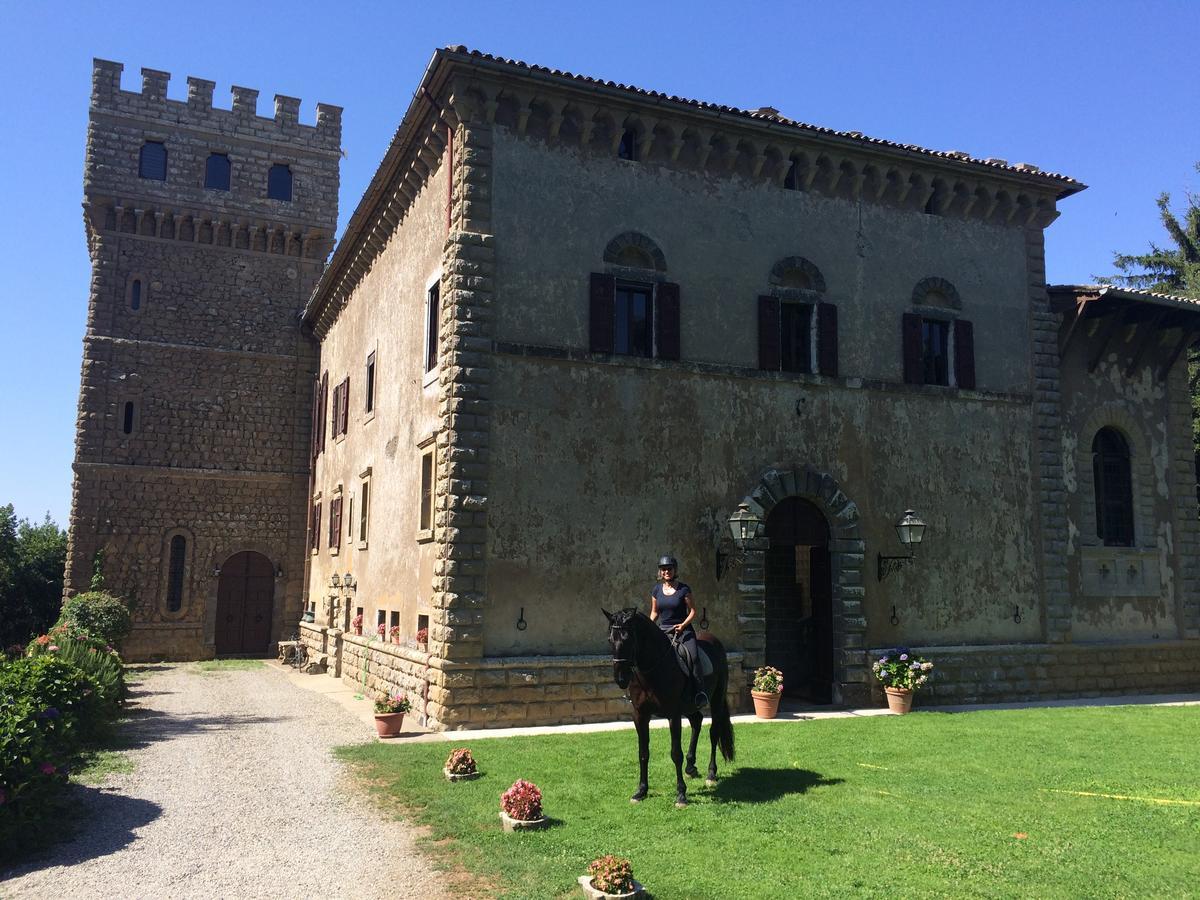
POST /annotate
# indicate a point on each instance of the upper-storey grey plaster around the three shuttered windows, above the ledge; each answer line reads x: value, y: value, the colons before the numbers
x: 722, y: 236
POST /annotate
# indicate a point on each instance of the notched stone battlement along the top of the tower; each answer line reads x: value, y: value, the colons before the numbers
x: 199, y: 111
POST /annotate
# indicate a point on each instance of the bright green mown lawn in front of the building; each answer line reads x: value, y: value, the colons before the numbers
x: 974, y: 805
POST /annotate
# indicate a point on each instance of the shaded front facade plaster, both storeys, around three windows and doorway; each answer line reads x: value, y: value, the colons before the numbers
x: 629, y: 454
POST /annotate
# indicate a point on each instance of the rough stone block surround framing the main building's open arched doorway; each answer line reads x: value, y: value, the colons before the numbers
x: 848, y: 556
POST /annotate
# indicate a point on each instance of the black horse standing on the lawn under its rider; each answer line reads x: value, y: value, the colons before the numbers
x: 645, y: 661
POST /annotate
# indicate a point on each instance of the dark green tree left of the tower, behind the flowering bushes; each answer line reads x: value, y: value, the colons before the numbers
x: 32, y: 562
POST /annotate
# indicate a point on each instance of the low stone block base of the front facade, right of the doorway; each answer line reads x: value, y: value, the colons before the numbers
x: 1018, y: 673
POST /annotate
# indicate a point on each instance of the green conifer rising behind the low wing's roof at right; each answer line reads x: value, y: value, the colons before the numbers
x: 1172, y: 271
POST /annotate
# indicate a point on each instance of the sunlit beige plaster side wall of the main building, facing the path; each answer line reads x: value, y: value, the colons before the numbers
x: 386, y: 316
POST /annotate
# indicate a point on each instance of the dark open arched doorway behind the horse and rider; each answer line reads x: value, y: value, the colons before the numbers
x: 800, y: 599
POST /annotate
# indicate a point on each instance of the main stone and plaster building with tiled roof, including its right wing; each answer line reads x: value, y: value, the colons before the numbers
x: 574, y: 325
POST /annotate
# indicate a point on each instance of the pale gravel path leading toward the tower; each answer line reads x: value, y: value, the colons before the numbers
x: 235, y: 795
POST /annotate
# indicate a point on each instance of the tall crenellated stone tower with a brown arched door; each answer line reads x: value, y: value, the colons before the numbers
x: 208, y: 230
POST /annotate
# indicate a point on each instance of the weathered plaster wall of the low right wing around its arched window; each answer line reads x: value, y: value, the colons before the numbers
x: 1142, y: 592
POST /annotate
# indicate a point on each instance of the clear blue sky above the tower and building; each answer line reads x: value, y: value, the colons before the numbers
x: 1103, y: 92
